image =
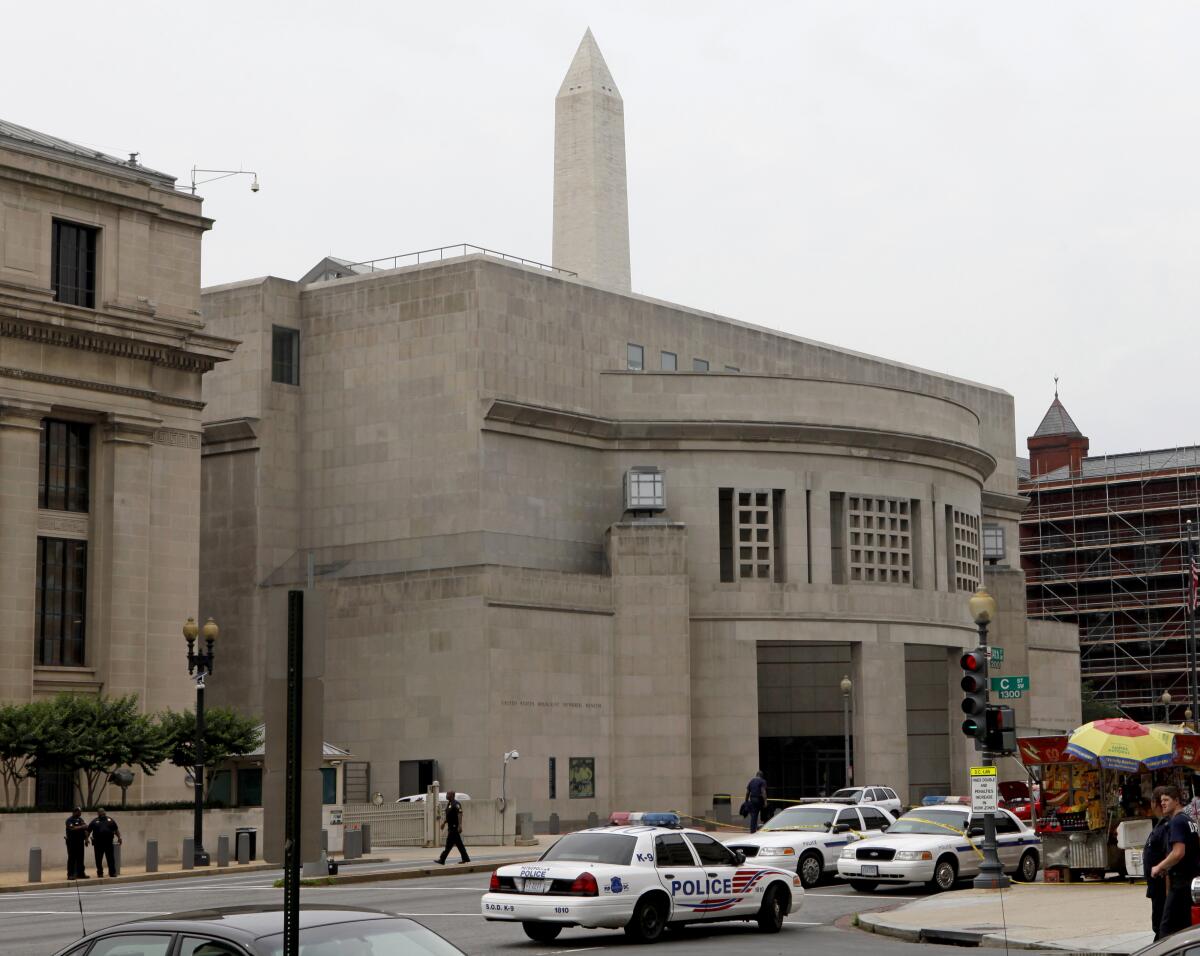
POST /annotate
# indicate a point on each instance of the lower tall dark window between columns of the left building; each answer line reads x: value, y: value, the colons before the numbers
x: 61, y: 602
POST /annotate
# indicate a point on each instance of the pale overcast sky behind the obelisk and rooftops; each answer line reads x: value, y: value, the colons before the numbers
x: 1001, y: 191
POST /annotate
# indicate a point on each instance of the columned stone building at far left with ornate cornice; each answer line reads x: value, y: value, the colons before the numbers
x: 103, y: 348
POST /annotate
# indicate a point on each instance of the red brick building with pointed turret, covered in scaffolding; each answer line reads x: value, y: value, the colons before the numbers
x: 1105, y: 545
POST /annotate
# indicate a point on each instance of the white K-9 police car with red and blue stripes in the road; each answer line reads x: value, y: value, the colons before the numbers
x: 641, y: 880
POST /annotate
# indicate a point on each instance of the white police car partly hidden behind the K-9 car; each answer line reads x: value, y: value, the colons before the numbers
x: 809, y: 839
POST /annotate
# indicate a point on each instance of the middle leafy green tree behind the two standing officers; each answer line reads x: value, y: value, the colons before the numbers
x: 97, y: 736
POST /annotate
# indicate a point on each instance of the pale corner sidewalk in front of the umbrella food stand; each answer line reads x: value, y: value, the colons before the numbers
x: 1091, y: 918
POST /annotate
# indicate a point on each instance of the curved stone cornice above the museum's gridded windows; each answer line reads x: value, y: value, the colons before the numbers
x: 589, y: 430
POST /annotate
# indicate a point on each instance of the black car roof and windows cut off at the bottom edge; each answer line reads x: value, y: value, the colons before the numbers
x: 259, y: 931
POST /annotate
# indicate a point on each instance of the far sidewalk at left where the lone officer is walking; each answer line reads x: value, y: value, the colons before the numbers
x: 383, y: 863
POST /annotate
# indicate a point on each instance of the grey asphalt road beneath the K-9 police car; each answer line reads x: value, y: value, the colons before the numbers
x: 39, y: 923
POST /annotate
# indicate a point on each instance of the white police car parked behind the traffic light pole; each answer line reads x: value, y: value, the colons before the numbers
x: 939, y: 846
